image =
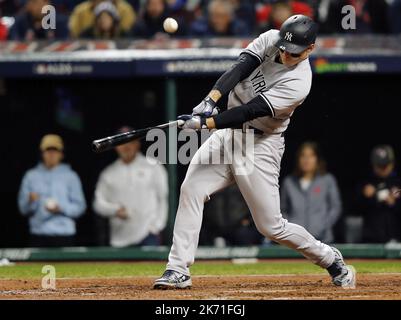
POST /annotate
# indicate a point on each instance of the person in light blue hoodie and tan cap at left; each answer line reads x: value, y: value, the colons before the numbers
x: 51, y: 197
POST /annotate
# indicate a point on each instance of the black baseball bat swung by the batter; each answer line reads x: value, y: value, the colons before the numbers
x: 108, y: 143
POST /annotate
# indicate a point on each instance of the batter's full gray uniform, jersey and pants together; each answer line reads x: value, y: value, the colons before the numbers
x: 283, y: 88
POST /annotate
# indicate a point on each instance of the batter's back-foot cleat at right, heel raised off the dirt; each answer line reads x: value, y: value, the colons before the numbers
x: 344, y: 276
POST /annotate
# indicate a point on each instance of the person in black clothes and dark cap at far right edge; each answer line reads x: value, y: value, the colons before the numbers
x: 380, y: 201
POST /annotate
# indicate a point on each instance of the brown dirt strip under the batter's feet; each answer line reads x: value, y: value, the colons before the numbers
x: 370, y: 286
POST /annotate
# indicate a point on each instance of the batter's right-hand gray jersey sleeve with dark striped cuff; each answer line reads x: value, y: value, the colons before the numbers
x: 283, y: 98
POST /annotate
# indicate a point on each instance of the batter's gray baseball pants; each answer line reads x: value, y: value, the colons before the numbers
x: 259, y: 187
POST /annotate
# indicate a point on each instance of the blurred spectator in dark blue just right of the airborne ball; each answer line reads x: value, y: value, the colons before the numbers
x: 221, y: 22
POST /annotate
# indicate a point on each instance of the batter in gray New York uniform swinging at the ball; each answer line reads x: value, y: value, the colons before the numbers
x: 271, y: 78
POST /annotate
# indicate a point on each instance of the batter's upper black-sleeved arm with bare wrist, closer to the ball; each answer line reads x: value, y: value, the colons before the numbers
x: 245, y: 65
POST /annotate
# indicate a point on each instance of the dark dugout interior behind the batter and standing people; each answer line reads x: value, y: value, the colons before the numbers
x: 347, y: 115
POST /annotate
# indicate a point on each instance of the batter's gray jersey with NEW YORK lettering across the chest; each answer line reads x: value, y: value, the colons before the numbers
x: 283, y: 88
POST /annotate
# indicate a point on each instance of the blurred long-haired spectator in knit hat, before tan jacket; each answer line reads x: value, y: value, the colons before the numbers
x: 107, y: 23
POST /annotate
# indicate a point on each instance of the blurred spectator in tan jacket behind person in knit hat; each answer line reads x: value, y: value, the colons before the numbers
x: 83, y: 16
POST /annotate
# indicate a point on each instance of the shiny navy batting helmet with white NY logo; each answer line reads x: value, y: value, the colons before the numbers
x: 297, y: 33
